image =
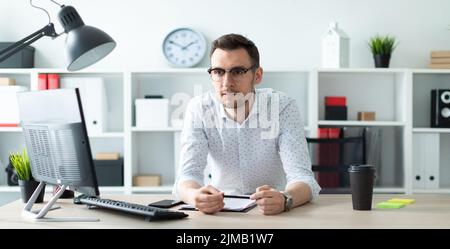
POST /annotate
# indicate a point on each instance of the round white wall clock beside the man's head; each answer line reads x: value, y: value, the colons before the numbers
x: 184, y: 47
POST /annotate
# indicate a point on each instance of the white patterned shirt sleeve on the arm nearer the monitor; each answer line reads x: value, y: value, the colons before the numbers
x: 194, y: 148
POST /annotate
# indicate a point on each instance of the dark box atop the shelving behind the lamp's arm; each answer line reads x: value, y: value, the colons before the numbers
x: 22, y: 59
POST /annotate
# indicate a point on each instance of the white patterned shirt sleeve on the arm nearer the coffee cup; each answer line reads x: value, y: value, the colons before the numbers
x: 293, y: 149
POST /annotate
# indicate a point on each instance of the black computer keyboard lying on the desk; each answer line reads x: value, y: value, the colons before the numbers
x: 150, y: 213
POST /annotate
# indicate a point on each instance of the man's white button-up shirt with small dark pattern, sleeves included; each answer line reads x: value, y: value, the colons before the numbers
x: 242, y: 157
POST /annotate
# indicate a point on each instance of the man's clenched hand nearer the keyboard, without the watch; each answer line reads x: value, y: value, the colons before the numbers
x: 208, y: 200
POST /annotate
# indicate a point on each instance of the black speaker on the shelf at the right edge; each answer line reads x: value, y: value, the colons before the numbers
x: 440, y: 108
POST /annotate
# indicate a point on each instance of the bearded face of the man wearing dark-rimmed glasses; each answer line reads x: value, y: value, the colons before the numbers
x: 233, y: 85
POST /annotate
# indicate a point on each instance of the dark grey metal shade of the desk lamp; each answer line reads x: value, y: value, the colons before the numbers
x: 86, y: 45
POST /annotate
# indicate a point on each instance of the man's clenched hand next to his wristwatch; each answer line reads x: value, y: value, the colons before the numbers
x: 269, y: 200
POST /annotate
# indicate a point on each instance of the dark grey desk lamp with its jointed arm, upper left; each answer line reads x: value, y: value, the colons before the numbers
x: 85, y: 45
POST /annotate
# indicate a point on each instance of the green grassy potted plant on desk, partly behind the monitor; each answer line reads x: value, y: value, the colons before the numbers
x: 28, y: 185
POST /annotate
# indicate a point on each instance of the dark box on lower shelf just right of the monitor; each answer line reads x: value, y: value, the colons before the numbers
x: 109, y: 172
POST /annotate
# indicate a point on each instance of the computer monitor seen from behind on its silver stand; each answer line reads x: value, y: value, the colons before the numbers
x: 58, y: 145
